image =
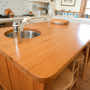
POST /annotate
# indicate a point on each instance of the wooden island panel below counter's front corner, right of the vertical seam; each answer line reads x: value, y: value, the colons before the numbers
x: 21, y: 80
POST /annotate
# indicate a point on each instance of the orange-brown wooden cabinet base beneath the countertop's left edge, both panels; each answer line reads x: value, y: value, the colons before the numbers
x: 14, y: 78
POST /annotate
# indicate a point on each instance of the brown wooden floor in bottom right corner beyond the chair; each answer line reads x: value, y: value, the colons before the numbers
x: 85, y: 84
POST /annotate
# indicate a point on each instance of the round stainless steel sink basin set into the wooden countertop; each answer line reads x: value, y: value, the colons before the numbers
x: 26, y: 34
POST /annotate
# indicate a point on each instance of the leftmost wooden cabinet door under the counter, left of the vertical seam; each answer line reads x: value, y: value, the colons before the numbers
x: 4, y: 75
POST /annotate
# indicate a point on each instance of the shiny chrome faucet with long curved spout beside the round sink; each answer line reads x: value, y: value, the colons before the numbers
x: 18, y: 26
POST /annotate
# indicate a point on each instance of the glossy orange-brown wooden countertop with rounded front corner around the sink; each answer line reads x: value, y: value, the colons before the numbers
x: 49, y: 53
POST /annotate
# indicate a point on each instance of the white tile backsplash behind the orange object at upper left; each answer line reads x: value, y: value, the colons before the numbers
x: 19, y: 7
